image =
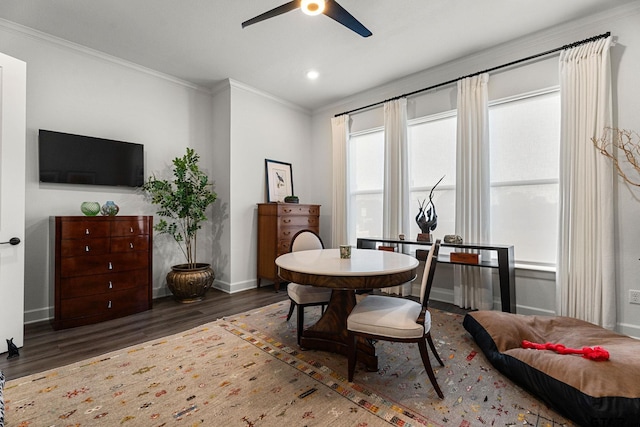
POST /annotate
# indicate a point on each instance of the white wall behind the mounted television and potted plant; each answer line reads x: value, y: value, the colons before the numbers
x: 73, y: 89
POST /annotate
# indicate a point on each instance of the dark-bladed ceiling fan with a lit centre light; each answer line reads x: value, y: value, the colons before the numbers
x: 331, y: 8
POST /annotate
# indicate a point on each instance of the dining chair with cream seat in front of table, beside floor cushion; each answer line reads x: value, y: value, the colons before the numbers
x: 387, y: 318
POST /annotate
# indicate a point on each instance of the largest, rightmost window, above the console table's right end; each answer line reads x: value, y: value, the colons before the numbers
x: 525, y: 144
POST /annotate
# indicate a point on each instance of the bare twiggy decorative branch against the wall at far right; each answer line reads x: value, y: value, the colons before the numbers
x: 628, y: 142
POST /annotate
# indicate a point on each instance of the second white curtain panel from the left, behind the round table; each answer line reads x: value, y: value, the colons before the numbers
x: 395, y: 199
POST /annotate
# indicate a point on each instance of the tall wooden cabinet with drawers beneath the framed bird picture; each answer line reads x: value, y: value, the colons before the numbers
x: 277, y: 224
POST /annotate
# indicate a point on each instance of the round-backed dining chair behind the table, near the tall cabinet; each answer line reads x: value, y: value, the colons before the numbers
x: 305, y: 295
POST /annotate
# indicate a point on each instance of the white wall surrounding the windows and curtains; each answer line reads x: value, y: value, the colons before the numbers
x: 535, y: 290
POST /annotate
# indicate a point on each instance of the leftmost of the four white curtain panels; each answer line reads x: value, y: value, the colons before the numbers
x: 339, y: 219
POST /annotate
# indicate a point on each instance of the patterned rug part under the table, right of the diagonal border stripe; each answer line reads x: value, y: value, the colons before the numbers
x: 475, y: 393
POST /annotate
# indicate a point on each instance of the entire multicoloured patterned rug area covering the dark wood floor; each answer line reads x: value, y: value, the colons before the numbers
x: 246, y: 370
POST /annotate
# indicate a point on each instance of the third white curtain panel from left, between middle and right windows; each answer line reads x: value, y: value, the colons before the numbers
x: 472, y: 286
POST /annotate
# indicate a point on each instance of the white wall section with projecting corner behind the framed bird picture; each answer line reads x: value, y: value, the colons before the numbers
x: 260, y: 127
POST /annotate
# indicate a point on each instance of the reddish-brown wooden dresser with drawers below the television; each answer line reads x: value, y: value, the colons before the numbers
x: 100, y: 267
